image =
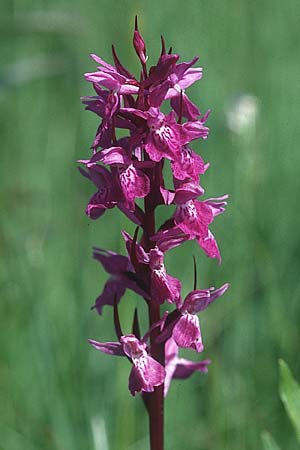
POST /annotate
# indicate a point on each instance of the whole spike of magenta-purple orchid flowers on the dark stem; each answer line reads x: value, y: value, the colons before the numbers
x: 132, y: 145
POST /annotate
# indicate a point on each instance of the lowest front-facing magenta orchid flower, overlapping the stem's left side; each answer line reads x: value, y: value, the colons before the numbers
x: 146, y: 372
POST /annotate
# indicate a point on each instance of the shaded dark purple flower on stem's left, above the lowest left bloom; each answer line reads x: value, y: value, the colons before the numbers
x: 122, y: 277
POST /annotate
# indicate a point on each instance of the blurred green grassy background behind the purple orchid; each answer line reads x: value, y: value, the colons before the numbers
x: 55, y: 391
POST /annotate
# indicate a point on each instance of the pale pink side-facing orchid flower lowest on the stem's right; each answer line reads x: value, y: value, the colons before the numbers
x: 180, y: 368
